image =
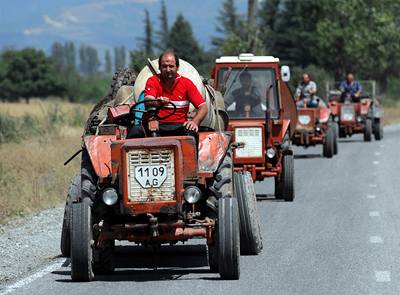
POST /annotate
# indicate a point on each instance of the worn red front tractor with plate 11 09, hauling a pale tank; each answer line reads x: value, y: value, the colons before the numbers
x: 156, y: 190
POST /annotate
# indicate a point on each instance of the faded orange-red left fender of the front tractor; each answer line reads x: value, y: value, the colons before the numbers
x: 99, y: 150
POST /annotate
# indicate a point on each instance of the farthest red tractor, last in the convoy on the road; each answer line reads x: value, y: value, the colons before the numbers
x: 361, y: 115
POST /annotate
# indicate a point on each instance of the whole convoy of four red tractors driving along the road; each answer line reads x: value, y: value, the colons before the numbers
x: 157, y: 190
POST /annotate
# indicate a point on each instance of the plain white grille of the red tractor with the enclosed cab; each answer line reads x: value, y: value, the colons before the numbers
x: 252, y: 139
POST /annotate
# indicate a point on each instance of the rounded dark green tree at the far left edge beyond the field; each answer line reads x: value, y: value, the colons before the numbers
x: 27, y: 73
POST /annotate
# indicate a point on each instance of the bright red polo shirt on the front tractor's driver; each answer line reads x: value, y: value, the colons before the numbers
x: 182, y: 93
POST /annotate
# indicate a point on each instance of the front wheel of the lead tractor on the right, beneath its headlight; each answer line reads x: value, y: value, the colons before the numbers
x: 228, y: 238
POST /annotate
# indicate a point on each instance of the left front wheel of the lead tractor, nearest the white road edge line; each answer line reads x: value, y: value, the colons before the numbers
x: 81, y: 242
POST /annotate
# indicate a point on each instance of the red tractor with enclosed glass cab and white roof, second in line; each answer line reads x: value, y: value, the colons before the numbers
x: 262, y: 117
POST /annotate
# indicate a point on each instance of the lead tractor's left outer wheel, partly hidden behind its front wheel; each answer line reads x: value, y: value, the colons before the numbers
x: 74, y: 194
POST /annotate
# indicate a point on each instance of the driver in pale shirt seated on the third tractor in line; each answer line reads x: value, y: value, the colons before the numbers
x: 306, y: 90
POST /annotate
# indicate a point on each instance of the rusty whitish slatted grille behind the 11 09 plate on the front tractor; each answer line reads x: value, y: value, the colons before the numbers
x: 151, y: 175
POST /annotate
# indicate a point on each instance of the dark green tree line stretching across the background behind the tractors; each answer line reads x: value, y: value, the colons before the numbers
x: 326, y: 38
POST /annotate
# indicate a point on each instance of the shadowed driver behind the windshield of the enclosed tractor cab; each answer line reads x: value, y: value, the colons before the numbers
x: 247, y: 98
